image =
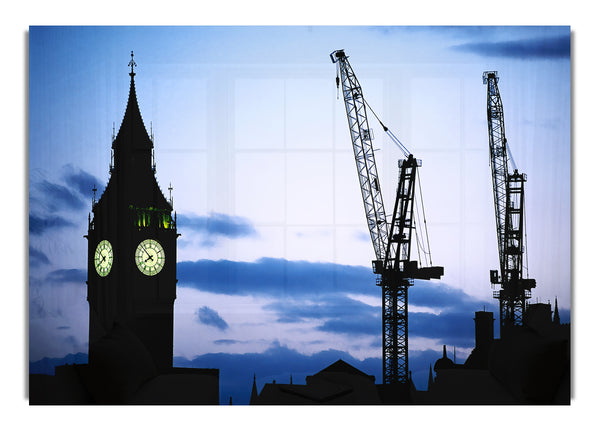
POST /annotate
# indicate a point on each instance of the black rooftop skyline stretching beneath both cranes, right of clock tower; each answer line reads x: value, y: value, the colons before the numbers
x: 528, y: 365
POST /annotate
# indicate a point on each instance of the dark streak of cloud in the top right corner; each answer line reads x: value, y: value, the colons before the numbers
x: 545, y: 48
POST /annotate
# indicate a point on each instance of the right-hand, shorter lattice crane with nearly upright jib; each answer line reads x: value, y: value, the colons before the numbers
x: 509, y: 194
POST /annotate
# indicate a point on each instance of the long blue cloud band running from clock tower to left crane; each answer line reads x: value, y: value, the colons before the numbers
x: 276, y: 278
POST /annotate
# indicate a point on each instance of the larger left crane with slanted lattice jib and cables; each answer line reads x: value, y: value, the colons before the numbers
x: 391, y: 240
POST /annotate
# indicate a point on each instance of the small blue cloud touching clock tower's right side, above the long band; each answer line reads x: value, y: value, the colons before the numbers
x: 217, y: 225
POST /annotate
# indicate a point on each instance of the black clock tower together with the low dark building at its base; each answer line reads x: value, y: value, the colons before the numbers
x: 132, y: 258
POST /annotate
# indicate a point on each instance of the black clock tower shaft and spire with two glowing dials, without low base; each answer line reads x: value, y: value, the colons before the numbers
x: 132, y: 245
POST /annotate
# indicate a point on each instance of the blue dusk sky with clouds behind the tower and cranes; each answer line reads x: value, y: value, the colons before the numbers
x: 250, y: 133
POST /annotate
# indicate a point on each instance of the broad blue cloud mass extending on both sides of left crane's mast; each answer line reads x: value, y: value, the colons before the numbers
x: 313, y: 291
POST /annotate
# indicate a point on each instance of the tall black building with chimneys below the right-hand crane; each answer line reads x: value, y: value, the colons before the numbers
x: 528, y: 365
